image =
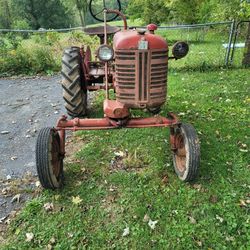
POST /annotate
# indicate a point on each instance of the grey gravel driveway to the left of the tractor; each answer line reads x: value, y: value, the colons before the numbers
x: 26, y: 105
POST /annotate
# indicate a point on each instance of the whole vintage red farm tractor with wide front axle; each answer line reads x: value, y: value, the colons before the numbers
x: 135, y: 67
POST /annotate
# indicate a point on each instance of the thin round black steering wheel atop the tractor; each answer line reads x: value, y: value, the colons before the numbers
x: 96, y: 10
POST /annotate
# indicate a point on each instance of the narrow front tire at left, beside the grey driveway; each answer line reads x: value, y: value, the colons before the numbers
x: 49, y: 161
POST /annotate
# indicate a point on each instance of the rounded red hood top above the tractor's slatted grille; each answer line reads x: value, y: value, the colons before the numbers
x: 129, y: 39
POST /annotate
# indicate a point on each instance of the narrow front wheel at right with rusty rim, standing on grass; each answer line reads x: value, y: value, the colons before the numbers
x: 186, y: 152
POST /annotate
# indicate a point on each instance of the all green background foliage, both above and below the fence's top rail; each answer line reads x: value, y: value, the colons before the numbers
x: 25, y: 53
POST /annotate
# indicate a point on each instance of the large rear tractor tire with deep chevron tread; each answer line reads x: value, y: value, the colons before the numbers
x: 73, y: 83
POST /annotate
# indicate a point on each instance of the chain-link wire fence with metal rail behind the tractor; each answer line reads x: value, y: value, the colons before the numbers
x: 209, y: 43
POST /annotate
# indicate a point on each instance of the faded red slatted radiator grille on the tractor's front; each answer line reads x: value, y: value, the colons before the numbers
x: 141, y: 77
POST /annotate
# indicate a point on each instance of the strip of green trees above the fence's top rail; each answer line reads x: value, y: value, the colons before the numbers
x: 64, y: 13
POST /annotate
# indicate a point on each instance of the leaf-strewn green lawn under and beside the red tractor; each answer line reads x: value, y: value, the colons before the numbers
x: 117, y: 192
